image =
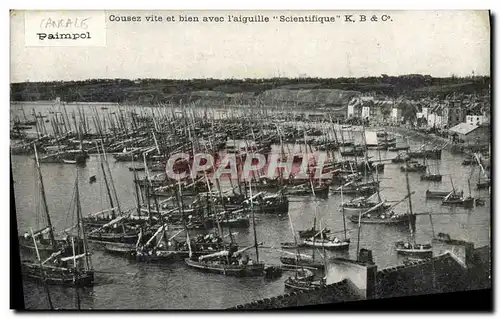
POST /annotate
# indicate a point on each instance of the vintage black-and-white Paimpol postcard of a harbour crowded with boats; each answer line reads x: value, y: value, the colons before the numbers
x: 248, y: 159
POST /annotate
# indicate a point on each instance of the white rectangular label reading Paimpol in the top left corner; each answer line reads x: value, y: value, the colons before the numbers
x: 65, y: 28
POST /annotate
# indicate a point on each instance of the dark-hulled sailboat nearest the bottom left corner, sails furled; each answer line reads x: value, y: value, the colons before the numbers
x: 74, y: 270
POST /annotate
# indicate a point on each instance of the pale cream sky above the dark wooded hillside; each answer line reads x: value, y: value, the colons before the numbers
x: 438, y: 43
